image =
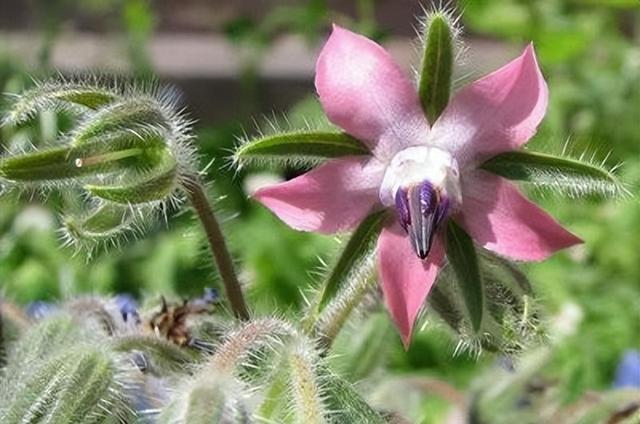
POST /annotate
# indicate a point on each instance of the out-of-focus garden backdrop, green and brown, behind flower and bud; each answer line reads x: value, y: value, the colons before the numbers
x: 238, y: 63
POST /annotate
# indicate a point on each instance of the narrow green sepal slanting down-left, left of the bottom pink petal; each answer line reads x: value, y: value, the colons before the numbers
x: 359, y: 248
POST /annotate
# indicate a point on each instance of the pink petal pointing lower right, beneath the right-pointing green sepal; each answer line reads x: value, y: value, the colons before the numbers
x: 501, y: 219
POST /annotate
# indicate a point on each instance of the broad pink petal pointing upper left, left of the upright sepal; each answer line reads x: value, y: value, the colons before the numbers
x: 366, y: 93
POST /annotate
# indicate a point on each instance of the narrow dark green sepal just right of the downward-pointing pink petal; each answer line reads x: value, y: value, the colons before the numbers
x: 462, y: 256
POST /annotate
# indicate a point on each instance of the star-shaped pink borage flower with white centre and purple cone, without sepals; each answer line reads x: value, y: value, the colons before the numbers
x: 427, y: 172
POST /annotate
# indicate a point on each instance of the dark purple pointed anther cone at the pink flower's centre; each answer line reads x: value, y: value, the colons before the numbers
x: 421, y: 208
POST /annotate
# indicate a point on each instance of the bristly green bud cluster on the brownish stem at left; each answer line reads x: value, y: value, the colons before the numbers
x: 128, y: 153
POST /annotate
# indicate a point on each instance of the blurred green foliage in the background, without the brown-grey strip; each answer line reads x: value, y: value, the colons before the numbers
x: 590, y: 53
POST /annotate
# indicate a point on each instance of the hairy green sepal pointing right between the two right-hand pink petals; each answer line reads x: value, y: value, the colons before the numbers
x: 566, y: 175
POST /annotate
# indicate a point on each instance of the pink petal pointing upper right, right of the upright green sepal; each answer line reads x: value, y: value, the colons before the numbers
x: 494, y: 114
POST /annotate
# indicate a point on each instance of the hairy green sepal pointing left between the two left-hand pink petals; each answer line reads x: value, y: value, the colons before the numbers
x: 304, y: 145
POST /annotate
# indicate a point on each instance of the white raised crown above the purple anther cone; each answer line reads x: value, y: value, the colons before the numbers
x: 419, y: 164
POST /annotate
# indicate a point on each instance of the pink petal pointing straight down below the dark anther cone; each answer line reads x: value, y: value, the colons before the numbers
x: 406, y: 280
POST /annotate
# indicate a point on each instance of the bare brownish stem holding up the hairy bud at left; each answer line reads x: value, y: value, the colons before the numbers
x: 217, y: 244
